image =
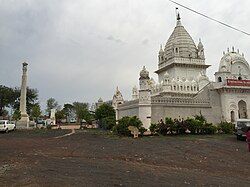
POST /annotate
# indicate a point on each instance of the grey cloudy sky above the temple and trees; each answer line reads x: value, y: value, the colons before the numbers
x: 80, y: 50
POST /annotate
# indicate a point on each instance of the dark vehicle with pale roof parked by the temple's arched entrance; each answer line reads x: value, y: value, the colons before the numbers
x: 241, y: 127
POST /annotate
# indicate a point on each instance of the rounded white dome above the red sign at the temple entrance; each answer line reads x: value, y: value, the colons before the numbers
x: 229, y: 59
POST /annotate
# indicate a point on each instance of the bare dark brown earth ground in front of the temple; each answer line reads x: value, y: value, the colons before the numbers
x: 94, y: 158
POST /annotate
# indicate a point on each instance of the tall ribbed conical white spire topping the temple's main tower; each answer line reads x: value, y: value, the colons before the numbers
x: 180, y: 43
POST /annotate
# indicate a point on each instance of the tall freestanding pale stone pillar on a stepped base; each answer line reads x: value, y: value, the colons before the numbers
x: 24, y: 121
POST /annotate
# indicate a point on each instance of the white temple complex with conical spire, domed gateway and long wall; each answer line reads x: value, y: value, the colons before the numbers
x: 184, y: 90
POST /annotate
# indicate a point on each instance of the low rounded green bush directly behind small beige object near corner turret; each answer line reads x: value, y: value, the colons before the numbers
x: 122, y: 127
